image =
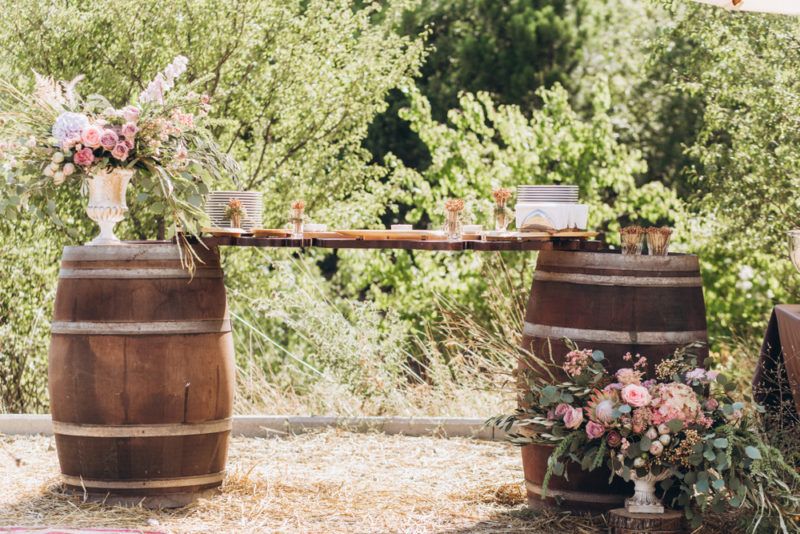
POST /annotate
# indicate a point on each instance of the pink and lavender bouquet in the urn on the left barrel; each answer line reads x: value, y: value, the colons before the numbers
x: 53, y: 135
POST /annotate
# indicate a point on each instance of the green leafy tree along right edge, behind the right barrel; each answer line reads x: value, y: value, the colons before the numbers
x: 741, y: 72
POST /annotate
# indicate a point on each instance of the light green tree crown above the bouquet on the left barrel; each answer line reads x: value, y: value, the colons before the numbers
x: 294, y: 84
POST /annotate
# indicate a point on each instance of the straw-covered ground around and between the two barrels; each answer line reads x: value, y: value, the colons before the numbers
x: 330, y: 482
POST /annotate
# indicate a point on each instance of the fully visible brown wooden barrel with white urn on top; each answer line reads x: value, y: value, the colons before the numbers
x: 141, y: 374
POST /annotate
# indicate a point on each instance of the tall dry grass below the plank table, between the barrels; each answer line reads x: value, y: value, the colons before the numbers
x: 301, y: 350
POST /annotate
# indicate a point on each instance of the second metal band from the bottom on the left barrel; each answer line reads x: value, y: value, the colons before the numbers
x: 142, y: 431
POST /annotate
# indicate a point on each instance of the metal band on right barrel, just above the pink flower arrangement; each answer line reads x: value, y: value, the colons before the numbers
x: 614, y: 336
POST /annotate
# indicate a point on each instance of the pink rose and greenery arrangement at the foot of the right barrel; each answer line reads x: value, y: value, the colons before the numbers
x: 678, y: 418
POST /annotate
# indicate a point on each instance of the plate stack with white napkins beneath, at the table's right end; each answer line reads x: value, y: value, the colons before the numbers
x: 550, y: 207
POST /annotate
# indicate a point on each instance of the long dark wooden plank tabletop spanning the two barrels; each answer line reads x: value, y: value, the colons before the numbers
x: 555, y: 243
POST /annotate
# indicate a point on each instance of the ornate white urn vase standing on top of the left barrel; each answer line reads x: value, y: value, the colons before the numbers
x: 107, y: 204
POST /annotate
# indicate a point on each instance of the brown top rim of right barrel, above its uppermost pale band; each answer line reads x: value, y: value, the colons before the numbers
x: 606, y: 260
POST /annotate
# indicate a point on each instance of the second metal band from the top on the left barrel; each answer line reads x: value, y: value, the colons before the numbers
x: 198, y: 326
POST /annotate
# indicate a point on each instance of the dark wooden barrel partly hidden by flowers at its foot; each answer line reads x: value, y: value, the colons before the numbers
x: 616, y: 303
